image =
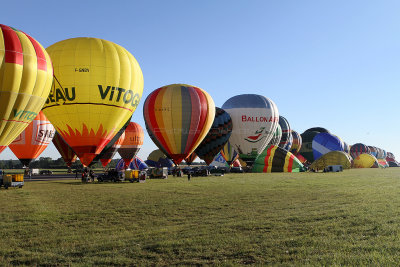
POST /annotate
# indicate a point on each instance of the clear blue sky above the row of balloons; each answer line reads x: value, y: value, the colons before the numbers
x: 334, y: 64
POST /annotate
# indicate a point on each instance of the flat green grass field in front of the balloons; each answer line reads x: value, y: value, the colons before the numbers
x: 349, y: 218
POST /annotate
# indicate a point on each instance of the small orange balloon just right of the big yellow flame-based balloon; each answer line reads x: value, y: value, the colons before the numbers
x: 133, y: 142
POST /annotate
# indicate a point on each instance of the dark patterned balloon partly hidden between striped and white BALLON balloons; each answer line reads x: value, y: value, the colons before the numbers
x: 216, y: 137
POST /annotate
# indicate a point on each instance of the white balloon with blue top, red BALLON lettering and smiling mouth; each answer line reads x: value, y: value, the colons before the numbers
x: 254, y: 119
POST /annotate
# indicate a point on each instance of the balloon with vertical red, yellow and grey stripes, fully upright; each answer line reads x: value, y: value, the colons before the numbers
x: 177, y: 118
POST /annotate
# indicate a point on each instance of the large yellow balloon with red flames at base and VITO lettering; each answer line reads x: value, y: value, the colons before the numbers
x: 97, y: 88
